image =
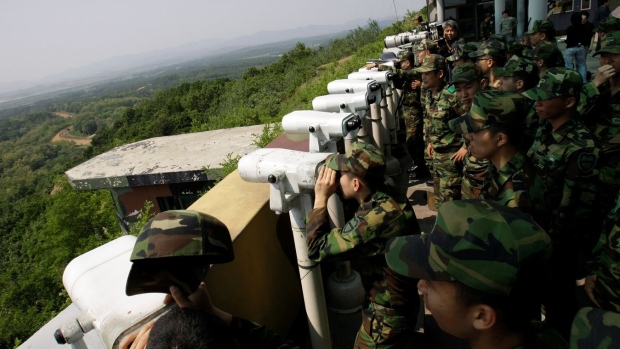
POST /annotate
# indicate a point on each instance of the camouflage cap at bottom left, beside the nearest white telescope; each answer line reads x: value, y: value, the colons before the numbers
x: 176, y: 248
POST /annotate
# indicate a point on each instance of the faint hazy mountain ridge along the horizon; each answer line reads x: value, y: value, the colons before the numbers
x: 134, y: 63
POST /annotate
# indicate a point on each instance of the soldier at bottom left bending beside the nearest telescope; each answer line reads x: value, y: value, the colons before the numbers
x: 172, y: 254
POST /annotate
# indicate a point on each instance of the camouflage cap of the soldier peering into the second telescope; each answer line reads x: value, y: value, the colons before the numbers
x: 363, y: 160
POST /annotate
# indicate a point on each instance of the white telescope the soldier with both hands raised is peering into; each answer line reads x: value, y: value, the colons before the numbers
x: 289, y: 172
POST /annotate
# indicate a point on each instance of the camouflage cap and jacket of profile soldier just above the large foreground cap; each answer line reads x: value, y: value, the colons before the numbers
x: 510, y: 184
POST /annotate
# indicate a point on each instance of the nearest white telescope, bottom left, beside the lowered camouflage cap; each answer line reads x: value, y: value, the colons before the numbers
x: 95, y: 281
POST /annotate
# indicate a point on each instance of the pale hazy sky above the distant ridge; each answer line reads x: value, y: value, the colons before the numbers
x: 42, y: 37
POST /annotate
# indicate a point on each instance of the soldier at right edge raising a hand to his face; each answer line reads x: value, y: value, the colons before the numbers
x: 600, y: 112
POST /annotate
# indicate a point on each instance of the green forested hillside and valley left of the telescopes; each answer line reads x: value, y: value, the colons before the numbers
x: 44, y: 223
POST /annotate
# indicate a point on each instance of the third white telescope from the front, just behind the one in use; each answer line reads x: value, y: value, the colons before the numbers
x: 324, y: 128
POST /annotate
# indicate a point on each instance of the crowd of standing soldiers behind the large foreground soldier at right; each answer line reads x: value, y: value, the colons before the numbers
x: 510, y: 124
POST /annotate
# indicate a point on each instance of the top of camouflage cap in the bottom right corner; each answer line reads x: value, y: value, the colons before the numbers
x: 595, y: 329
